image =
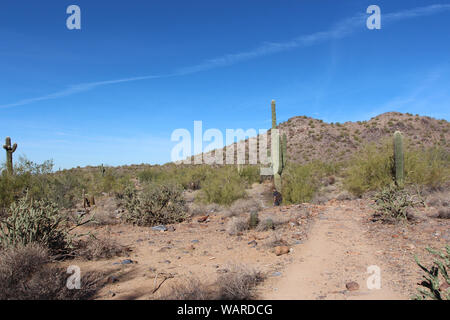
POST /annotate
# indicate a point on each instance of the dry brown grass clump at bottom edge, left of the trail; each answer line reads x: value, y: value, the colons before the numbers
x: 237, y: 284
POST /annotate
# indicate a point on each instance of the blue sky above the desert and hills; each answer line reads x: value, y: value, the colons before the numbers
x: 114, y: 91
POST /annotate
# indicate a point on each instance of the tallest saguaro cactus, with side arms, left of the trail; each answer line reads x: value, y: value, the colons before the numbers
x: 278, y: 150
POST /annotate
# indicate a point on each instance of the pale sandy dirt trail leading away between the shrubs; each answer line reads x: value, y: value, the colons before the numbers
x: 335, y: 254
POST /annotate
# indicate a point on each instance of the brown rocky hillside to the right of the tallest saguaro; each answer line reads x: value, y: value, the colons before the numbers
x: 309, y: 139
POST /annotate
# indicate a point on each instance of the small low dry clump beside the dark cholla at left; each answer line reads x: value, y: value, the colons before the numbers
x: 97, y: 249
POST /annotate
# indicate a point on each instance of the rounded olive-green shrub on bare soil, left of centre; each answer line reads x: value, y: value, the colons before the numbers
x: 154, y: 205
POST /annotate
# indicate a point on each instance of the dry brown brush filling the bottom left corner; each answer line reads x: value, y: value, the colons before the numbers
x: 26, y: 274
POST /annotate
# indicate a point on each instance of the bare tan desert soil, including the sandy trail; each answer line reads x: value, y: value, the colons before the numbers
x: 331, y: 245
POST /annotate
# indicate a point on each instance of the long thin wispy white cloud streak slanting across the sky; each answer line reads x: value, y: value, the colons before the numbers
x: 340, y: 30
